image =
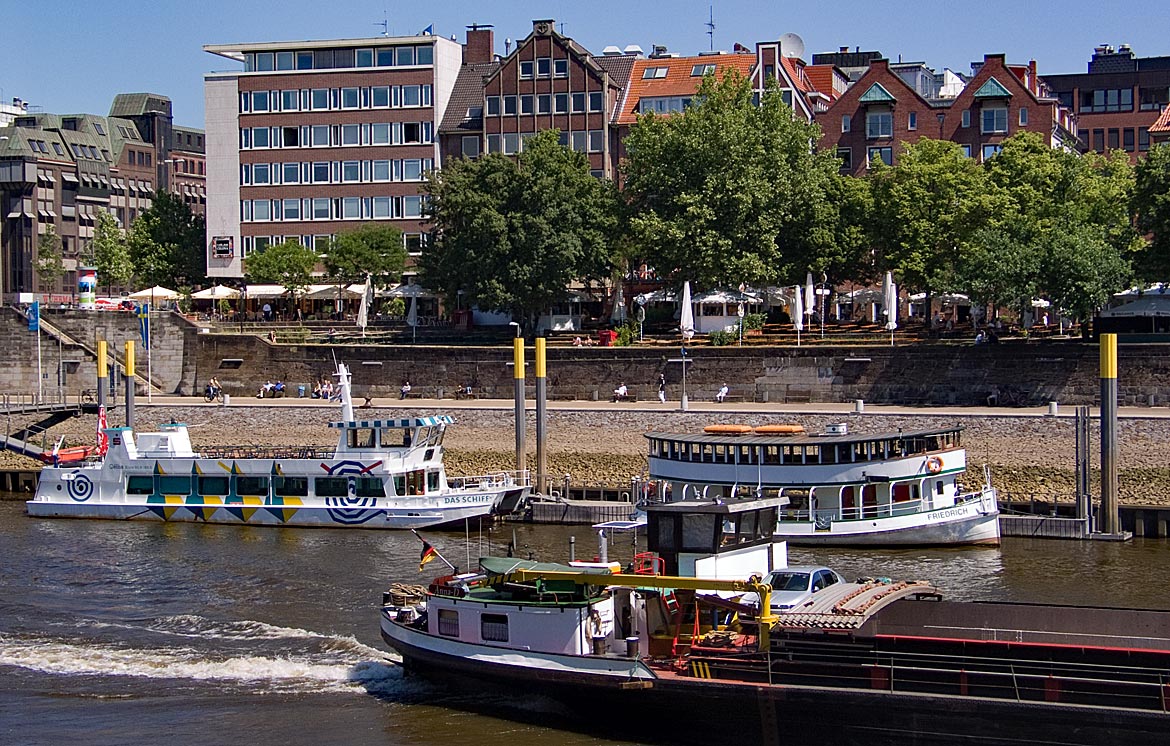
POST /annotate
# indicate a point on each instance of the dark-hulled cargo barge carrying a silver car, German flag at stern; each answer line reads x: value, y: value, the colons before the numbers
x: 679, y: 659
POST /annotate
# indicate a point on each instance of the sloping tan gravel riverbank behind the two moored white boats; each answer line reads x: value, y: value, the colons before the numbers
x: 1029, y: 457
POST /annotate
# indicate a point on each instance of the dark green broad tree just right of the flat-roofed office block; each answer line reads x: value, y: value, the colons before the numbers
x: 513, y: 234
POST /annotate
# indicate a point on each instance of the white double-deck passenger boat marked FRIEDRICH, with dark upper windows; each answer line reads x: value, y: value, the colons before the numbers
x: 872, y: 489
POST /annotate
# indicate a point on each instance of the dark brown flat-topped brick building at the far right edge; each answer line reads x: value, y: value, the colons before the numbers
x: 1118, y: 100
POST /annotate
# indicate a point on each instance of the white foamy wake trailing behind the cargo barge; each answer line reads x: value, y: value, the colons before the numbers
x: 252, y: 657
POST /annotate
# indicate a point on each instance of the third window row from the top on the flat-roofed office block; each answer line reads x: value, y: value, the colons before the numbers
x: 339, y: 135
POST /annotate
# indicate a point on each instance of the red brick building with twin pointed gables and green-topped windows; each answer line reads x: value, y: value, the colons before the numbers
x: 883, y: 112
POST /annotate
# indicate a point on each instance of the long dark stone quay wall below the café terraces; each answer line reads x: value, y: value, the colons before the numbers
x: 930, y: 375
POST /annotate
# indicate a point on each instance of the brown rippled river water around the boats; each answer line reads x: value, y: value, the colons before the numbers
x: 142, y: 633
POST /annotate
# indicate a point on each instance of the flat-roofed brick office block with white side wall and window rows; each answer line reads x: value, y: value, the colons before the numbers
x: 308, y: 140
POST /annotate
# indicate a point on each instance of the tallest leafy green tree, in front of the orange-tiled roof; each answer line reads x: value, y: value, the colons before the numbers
x: 728, y: 191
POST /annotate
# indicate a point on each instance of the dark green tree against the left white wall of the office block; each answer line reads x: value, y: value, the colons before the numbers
x: 180, y: 237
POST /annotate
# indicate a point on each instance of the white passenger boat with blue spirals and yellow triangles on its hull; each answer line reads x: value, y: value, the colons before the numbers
x: 384, y: 474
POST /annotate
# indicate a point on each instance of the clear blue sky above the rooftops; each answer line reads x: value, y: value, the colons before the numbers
x: 72, y: 57
